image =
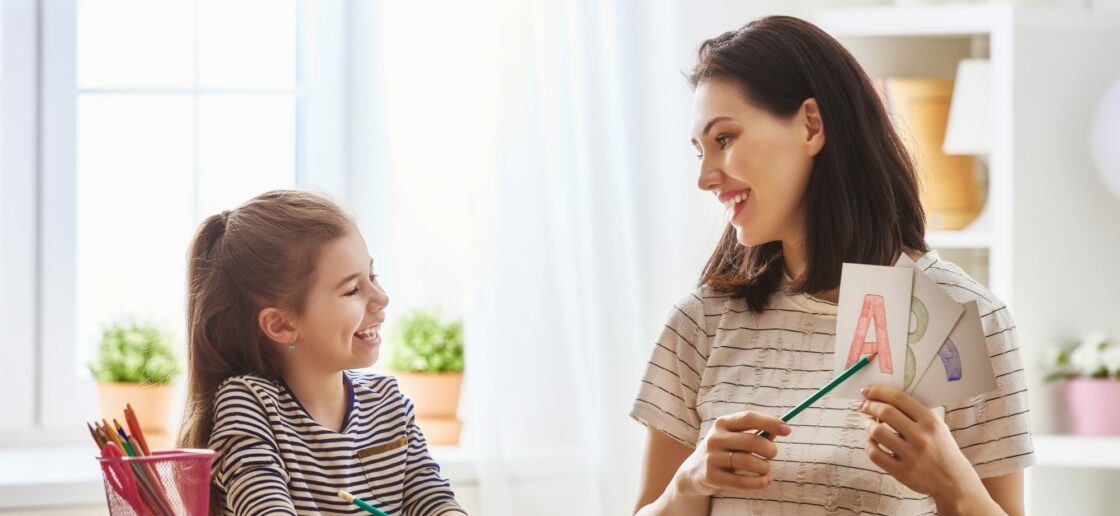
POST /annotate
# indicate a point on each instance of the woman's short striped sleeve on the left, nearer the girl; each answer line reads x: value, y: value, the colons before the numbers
x: 667, y: 400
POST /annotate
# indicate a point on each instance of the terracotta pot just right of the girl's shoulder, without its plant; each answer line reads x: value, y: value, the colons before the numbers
x: 436, y: 398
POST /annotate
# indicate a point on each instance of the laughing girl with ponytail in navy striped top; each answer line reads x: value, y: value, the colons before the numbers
x: 283, y: 304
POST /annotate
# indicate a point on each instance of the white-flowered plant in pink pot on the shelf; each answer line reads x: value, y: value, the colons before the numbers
x: 1091, y: 370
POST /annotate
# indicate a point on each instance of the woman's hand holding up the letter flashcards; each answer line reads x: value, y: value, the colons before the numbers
x: 911, y: 444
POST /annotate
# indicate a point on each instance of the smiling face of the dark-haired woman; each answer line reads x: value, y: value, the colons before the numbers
x: 755, y: 164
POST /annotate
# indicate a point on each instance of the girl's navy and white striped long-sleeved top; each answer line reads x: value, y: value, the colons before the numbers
x: 276, y: 459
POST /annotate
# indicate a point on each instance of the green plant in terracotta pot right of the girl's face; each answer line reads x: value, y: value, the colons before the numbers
x: 426, y: 355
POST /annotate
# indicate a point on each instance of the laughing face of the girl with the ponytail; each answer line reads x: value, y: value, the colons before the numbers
x: 340, y: 329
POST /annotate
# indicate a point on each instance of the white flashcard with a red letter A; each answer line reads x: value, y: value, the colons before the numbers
x: 873, y: 317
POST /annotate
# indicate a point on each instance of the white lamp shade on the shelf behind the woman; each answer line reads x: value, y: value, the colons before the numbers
x: 969, y: 130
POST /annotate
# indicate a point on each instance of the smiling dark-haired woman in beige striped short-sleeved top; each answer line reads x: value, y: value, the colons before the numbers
x: 795, y: 142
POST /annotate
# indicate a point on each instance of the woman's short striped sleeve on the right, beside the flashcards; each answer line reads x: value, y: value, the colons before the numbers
x: 994, y: 430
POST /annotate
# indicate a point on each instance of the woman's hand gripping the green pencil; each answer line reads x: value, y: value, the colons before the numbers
x: 732, y: 456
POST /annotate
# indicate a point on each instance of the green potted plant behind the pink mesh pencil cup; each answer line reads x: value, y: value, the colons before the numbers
x: 136, y: 364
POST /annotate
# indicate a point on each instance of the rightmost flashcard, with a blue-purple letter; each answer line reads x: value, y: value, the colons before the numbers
x: 964, y: 367
